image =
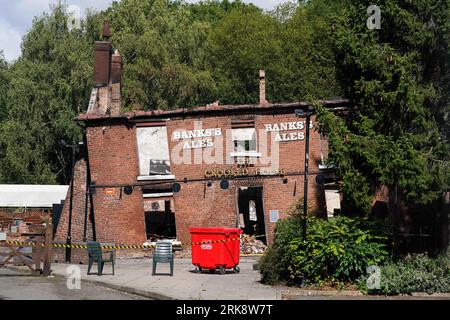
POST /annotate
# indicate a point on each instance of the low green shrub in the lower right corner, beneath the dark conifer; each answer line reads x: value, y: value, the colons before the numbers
x: 416, y: 273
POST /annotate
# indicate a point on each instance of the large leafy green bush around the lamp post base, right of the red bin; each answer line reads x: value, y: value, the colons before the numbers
x: 336, y: 251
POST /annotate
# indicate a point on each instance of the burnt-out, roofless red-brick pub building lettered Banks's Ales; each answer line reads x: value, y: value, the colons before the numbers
x: 143, y: 175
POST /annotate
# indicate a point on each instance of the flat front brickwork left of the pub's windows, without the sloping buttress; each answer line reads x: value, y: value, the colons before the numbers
x: 119, y: 218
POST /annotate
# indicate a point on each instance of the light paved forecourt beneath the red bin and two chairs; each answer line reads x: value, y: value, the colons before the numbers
x: 135, y: 276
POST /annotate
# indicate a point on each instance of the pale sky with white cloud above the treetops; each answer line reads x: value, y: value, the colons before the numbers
x: 16, y: 17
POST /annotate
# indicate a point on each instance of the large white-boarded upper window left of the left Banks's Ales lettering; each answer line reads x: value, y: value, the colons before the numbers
x: 153, y: 151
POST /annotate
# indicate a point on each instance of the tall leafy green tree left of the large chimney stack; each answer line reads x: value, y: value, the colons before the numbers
x: 50, y: 84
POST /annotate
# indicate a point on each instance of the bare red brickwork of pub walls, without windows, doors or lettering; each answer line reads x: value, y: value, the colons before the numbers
x: 120, y: 218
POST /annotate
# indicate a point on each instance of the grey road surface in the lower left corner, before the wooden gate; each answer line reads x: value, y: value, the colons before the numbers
x: 20, y: 286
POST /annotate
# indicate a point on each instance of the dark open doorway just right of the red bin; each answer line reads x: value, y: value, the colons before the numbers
x: 251, y: 213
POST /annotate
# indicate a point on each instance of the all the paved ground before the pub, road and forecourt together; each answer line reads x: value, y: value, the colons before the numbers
x: 134, y: 276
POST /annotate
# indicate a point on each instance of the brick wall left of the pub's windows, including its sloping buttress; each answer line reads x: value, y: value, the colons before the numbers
x: 119, y: 218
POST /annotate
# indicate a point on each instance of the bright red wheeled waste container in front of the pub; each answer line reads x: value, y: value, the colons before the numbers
x: 216, y: 255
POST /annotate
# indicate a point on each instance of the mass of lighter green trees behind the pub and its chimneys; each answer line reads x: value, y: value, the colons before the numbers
x: 175, y: 54
